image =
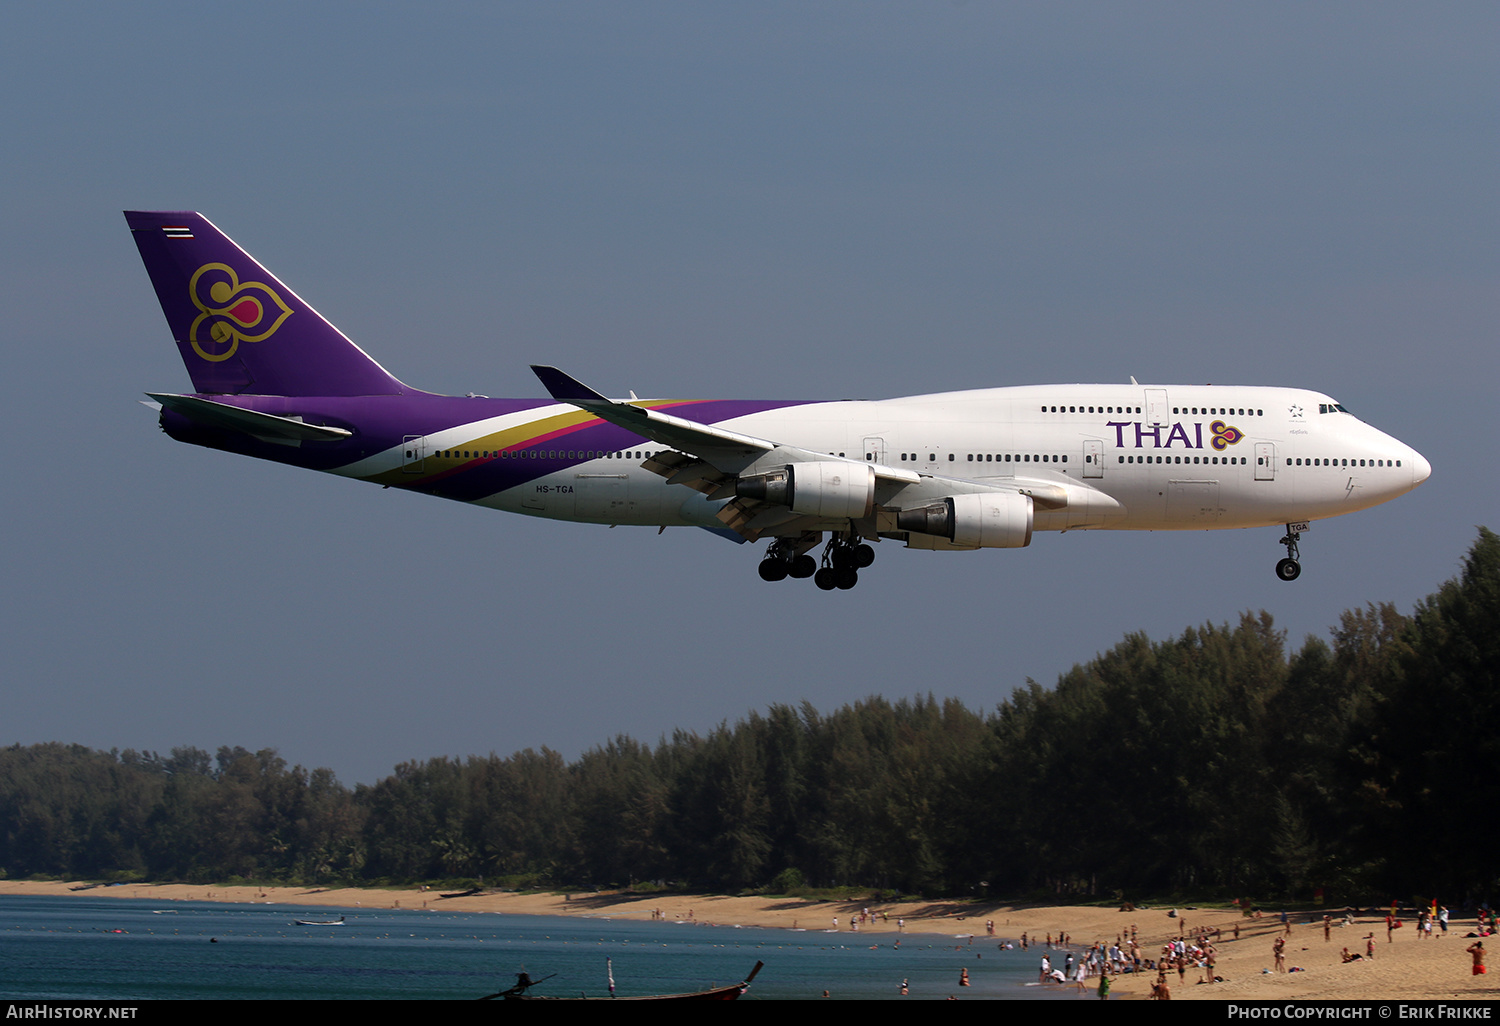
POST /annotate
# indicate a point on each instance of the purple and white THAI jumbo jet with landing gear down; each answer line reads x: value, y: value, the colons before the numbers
x: 952, y: 472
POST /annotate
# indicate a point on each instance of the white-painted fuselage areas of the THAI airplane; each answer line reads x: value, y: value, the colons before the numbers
x: 1171, y: 457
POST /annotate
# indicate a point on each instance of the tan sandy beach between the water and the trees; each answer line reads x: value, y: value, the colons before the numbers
x: 1405, y: 968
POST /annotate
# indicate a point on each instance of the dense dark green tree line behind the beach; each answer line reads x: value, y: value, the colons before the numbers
x: 1211, y: 763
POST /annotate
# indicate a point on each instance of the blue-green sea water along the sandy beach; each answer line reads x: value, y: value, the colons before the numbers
x: 82, y: 949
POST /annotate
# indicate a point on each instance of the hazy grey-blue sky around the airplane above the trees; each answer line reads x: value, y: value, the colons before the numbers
x: 700, y: 200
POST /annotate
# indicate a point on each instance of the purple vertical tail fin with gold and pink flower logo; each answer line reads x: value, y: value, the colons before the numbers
x: 239, y: 328
